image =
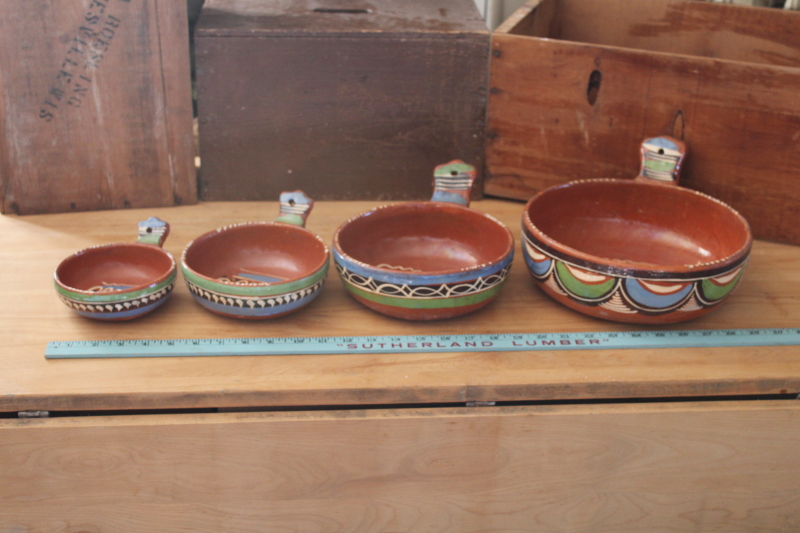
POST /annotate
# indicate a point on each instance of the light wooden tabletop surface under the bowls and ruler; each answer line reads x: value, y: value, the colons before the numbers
x: 31, y: 315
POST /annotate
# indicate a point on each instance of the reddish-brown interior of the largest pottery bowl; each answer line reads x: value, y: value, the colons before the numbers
x: 638, y: 222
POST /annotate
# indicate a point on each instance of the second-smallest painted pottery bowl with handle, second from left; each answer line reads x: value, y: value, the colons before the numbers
x: 258, y: 269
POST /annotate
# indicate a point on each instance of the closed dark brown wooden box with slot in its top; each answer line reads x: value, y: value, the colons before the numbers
x: 343, y: 99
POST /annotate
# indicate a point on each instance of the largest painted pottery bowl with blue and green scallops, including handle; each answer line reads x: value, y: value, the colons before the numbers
x: 642, y: 251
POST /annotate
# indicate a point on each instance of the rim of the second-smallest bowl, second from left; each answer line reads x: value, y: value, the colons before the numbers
x: 282, y: 284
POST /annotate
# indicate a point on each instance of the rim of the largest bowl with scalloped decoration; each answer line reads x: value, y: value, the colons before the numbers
x: 638, y: 269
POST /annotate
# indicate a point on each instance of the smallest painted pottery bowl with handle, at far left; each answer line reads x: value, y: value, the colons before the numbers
x: 119, y: 281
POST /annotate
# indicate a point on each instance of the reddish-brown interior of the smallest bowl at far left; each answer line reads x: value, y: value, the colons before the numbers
x: 116, y: 266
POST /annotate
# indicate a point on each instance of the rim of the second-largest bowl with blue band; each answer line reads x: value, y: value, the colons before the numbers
x: 411, y: 274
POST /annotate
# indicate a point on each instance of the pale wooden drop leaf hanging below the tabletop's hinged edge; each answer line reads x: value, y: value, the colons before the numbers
x: 565, y: 469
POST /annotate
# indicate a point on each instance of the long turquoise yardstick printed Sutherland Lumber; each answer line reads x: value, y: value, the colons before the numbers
x: 386, y: 344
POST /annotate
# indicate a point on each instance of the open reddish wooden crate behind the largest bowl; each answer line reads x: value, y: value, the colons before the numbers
x: 577, y: 84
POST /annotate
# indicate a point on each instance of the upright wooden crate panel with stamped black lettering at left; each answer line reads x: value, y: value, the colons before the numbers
x: 95, y: 105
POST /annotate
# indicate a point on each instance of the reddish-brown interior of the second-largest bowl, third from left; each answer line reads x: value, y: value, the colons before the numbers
x: 425, y: 237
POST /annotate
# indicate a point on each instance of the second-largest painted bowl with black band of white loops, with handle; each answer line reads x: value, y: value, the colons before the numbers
x: 425, y: 260
